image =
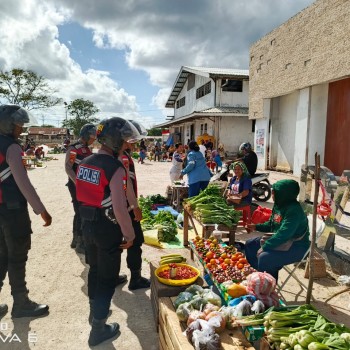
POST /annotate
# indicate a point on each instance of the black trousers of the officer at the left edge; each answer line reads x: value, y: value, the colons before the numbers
x: 15, y: 240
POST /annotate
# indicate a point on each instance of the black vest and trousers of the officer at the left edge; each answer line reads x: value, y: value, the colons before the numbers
x: 15, y: 226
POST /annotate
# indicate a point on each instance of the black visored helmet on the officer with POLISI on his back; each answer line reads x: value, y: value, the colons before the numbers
x: 114, y: 131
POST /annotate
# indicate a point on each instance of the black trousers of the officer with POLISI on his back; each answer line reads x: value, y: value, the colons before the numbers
x: 102, y: 241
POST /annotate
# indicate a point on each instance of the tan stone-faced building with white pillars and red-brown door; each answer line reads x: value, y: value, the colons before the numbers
x: 300, y: 89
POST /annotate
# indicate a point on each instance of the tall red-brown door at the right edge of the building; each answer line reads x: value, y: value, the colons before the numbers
x: 337, y: 155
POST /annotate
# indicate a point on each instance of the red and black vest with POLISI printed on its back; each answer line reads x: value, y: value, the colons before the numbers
x: 92, y: 181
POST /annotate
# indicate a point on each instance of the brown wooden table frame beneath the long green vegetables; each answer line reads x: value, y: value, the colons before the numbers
x: 207, y: 229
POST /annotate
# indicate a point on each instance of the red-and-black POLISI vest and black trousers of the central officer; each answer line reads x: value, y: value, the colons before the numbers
x: 102, y: 236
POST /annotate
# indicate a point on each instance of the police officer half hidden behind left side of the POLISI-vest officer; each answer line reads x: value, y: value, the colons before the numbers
x: 75, y: 154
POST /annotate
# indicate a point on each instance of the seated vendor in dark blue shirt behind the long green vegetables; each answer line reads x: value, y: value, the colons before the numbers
x: 240, y: 187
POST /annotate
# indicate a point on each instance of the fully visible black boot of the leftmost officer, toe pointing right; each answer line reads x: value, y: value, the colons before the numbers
x: 24, y: 307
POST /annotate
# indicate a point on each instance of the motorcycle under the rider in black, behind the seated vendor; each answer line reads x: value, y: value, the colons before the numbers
x: 261, y: 185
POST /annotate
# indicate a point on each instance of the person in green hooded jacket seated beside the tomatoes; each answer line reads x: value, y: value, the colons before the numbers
x: 289, y: 232
